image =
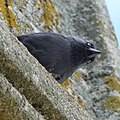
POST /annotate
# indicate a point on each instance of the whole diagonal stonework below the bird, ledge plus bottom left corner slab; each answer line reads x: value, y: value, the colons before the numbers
x: 44, y: 95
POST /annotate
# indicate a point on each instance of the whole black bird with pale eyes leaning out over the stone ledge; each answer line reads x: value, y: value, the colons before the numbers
x: 60, y: 55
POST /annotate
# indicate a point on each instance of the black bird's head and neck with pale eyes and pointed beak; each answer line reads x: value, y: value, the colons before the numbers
x: 82, y: 51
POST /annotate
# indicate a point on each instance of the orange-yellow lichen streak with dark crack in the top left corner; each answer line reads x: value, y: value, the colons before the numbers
x: 5, y: 6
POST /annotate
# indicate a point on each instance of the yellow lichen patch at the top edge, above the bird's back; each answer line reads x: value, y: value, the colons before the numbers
x: 50, y: 16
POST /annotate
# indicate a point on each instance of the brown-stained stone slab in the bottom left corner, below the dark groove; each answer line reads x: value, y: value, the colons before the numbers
x: 14, y: 106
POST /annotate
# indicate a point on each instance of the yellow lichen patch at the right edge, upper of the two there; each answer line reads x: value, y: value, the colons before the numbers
x: 113, y: 83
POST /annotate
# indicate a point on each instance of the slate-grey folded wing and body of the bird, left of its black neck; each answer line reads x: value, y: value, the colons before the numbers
x: 51, y: 50
